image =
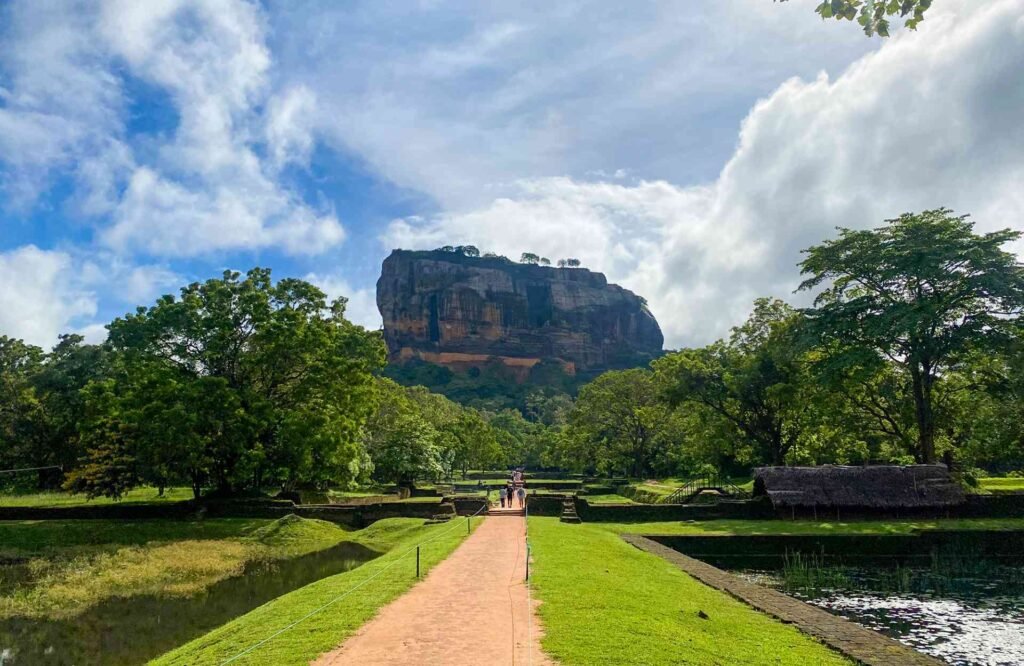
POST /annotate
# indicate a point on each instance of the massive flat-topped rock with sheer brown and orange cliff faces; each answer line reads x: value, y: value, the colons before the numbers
x: 464, y: 312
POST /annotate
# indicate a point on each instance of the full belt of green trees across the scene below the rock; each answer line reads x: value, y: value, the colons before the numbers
x: 913, y: 352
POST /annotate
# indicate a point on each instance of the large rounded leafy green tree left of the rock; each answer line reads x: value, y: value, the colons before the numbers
x: 239, y: 384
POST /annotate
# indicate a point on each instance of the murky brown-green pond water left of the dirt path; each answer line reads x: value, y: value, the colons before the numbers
x: 130, y: 632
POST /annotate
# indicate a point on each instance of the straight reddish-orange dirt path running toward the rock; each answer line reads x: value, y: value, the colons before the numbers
x: 472, y: 609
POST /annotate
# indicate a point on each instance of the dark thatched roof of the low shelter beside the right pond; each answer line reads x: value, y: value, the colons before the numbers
x: 883, y: 487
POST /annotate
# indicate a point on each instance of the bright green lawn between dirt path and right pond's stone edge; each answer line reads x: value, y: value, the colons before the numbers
x: 605, y: 602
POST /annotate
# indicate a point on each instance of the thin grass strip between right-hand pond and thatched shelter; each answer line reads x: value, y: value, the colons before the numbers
x: 806, y: 527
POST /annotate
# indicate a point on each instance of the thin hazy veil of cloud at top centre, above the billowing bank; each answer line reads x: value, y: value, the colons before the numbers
x: 460, y: 100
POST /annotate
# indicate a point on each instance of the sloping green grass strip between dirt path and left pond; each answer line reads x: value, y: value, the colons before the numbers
x: 392, y: 575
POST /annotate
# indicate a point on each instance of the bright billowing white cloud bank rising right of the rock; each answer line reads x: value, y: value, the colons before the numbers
x: 931, y: 119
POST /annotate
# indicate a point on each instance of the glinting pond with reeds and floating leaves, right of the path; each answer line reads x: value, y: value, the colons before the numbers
x: 963, y: 619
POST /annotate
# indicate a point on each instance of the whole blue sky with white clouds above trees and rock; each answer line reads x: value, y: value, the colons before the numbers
x: 690, y: 150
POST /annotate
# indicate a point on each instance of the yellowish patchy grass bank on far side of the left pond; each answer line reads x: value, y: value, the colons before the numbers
x: 73, y: 568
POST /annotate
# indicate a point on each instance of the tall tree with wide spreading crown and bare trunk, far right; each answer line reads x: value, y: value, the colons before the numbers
x: 920, y: 294
